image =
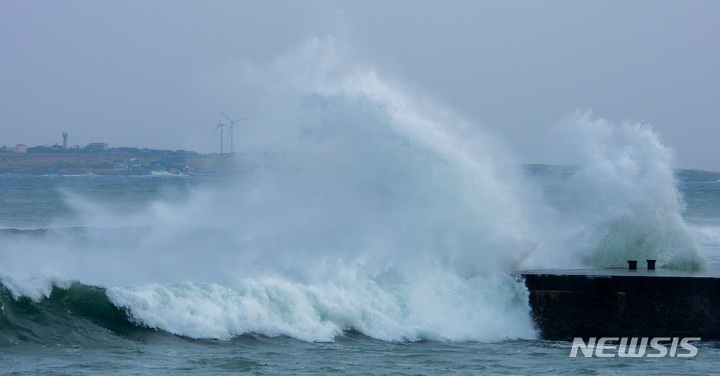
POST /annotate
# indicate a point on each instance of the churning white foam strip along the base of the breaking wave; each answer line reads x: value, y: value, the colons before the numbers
x: 444, y: 307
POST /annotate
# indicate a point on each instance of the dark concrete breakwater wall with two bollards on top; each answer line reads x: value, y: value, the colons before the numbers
x: 641, y: 305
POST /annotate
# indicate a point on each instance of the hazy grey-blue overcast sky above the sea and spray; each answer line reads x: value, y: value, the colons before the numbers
x: 140, y: 73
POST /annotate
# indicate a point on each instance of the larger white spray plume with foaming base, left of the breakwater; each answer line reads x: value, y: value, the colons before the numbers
x: 371, y: 210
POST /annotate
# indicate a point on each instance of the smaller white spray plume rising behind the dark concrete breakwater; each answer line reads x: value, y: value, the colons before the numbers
x: 619, y: 201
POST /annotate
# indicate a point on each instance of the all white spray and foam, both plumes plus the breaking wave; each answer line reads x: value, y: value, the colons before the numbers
x: 366, y: 208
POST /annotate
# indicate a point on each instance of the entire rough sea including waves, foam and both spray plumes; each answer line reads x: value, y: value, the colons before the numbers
x: 363, y: 229
